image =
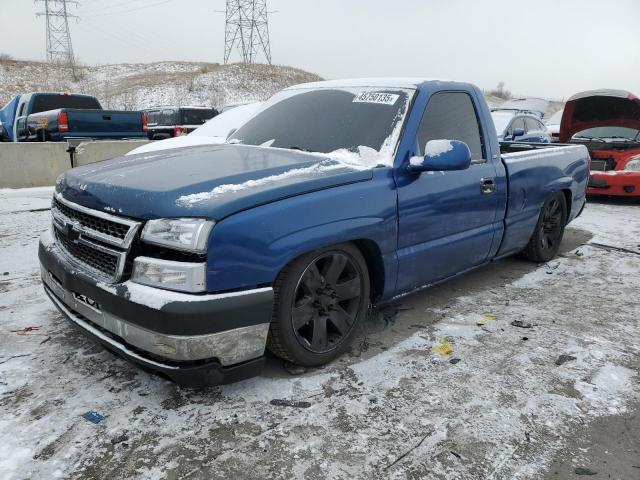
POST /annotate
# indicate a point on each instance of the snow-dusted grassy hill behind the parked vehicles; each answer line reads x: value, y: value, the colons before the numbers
x: 139, y: 85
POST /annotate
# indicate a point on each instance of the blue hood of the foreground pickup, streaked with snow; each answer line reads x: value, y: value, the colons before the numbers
x: 211, y: 181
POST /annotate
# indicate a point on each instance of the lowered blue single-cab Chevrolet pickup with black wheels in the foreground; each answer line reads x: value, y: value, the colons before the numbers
x: 336, y: 196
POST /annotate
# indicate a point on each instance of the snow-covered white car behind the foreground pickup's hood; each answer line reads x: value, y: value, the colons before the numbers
x: 212, y: 132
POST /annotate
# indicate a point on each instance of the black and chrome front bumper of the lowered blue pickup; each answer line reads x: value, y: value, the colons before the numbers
x: 193, y: 339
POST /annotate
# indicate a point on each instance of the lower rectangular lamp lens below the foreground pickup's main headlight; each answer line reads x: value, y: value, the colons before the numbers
x: 181, y: 276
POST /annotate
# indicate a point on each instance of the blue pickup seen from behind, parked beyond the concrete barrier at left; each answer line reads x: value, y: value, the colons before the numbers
x: 52, y: 117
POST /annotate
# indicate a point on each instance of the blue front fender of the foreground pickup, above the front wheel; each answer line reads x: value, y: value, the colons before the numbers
x: 250, y: 248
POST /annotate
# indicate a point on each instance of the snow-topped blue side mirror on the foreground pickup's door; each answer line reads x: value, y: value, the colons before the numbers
x: 442, y: 155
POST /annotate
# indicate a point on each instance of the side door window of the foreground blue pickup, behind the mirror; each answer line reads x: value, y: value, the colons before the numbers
x: 451, y: 116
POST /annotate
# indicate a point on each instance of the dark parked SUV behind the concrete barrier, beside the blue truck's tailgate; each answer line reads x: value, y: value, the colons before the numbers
x: 171, y: 121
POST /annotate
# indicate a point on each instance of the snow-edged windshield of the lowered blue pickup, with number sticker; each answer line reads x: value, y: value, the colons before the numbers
x: 326, y: 120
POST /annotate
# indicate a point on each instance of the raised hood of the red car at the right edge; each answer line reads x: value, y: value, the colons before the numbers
x: 599, y: 108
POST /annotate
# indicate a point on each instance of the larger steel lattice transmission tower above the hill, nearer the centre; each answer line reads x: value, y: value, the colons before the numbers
x: 247, y: 29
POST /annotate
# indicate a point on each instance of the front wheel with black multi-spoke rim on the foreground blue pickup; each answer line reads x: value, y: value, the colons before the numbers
x: 320, y: 299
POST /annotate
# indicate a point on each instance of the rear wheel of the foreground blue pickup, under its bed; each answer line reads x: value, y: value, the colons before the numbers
x: 546, y: 238
